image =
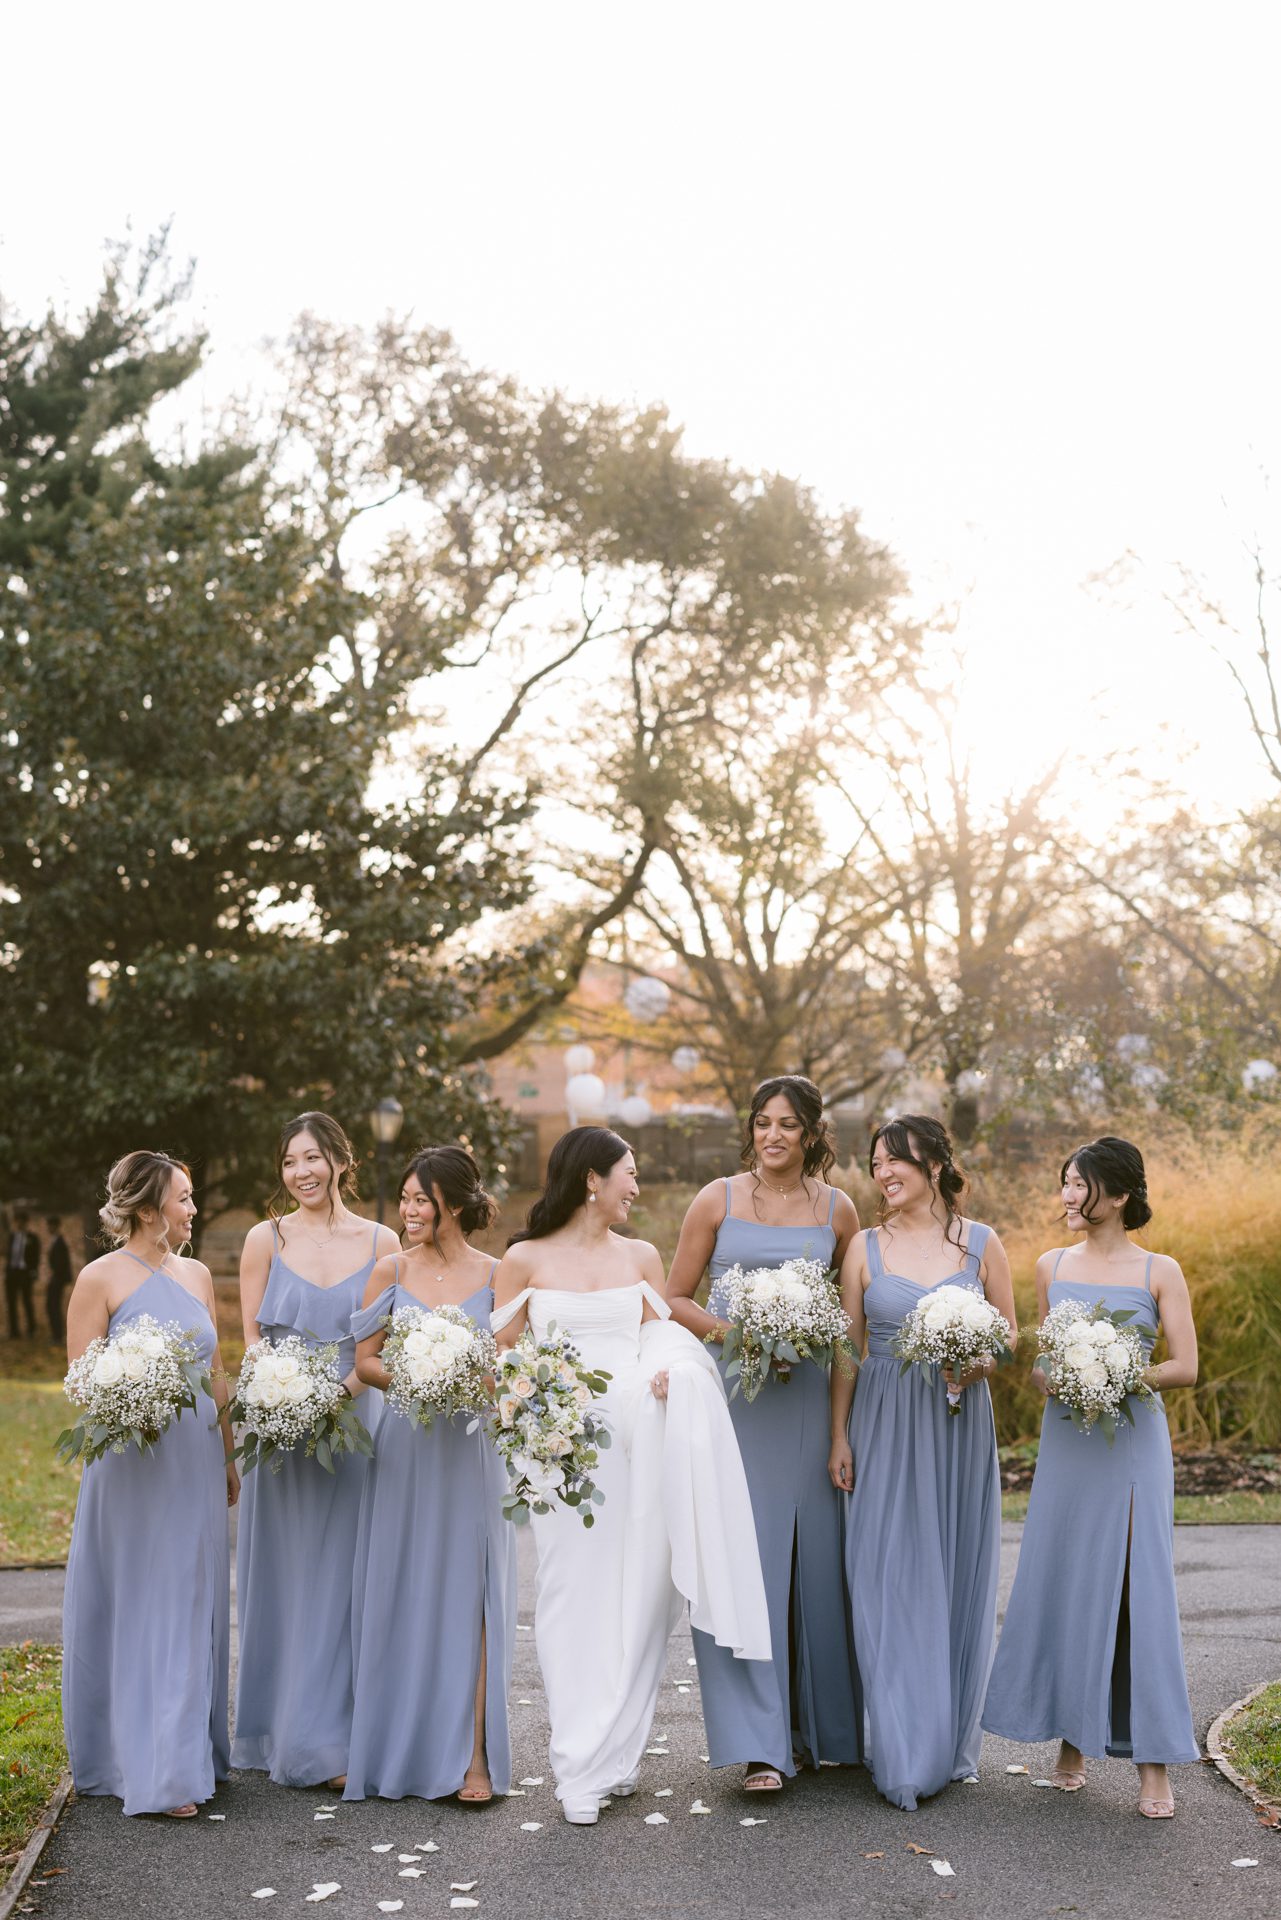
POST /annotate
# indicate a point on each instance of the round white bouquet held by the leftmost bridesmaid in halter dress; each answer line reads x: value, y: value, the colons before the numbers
x: 130, y: 1385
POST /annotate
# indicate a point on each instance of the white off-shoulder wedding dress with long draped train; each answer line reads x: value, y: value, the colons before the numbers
x: 677, y: 1527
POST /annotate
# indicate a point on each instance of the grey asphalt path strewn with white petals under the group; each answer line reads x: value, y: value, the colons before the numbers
x: 829, y: 1846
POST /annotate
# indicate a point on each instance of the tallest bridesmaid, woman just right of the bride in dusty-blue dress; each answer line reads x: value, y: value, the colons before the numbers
x: 781, y: 1209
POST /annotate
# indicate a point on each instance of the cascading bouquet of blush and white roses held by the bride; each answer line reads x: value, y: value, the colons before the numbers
x: 544, y: 1428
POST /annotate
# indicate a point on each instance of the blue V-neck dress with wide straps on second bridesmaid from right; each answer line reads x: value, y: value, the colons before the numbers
x: 923, y: 1548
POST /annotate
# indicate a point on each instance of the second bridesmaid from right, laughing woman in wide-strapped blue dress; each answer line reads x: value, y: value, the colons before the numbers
x: 923, y: 1527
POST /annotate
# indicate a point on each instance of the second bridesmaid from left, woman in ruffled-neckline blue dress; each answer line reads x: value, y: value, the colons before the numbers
x: 302, y: 1274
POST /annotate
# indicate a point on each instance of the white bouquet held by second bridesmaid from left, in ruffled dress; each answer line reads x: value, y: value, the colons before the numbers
x: 291, y: 1395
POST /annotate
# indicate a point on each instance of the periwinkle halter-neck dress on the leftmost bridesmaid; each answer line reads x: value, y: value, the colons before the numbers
x: 147, y: 1608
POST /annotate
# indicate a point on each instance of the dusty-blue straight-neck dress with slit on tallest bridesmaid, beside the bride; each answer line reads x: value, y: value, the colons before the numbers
x: 806, y: 1702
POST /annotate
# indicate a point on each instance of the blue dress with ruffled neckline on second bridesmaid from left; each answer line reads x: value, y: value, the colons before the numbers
x: 295, y: 1552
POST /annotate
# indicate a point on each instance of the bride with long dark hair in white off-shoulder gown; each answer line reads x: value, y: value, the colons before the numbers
x: 677, y: 1520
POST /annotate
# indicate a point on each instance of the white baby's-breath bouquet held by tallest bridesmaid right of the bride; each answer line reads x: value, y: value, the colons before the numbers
x: 785, y: 1316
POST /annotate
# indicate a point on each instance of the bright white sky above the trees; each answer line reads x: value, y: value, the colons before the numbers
x: 1000, y: 276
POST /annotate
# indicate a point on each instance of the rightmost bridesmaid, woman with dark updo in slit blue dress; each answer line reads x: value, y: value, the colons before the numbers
x: 1092, y: 1652
